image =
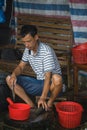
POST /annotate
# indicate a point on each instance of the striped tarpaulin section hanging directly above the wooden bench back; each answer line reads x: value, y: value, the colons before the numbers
x: 42, y: 7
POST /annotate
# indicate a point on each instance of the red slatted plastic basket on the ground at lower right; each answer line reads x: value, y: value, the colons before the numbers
x: 69, y: 114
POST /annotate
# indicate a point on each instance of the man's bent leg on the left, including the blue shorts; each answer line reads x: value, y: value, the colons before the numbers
x: 26, y: 85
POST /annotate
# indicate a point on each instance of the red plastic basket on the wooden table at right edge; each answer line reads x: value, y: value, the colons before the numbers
x: 80, y: 54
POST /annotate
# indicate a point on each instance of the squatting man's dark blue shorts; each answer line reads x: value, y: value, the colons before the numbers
x: 31, y: 85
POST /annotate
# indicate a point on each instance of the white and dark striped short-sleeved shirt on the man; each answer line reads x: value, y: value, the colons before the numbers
x: 43, y: 61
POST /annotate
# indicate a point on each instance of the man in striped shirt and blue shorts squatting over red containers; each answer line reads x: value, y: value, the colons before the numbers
x: 45, y: 64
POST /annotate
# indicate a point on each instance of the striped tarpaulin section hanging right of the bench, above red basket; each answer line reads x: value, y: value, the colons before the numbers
x: 78, y: 14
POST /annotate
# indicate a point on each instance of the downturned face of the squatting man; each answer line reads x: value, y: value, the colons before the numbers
x: 30, y: 42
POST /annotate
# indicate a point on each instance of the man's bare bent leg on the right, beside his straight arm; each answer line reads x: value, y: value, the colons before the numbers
x: 55, y: 88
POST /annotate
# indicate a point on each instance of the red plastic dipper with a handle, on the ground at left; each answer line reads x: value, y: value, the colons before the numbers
x: 18, y: 111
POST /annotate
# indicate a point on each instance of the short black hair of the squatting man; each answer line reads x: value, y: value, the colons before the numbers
x: 28, y: 29
